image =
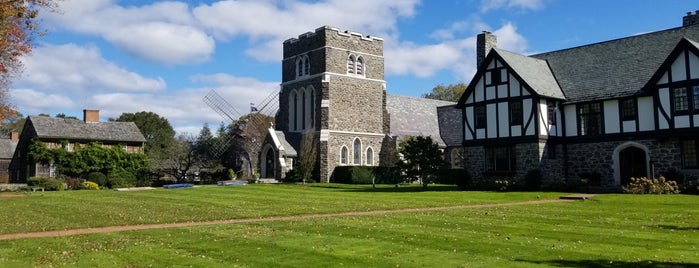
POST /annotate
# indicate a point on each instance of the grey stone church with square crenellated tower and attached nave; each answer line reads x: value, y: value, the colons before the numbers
x: 333, y: 87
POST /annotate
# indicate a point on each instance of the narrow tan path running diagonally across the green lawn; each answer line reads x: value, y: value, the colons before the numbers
x: 111, y: 229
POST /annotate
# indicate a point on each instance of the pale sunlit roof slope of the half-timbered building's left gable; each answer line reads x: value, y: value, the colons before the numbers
x: 534, y: 72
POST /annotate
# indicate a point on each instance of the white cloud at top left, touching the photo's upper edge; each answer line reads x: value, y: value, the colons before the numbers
x: 163, y: 32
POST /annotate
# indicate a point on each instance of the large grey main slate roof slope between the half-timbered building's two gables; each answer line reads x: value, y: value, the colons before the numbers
x: 616, y: 68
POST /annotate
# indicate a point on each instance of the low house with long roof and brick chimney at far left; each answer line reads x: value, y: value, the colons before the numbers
x: 68, y: 132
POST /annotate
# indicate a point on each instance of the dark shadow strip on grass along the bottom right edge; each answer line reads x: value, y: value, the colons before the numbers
x: 615, y: 264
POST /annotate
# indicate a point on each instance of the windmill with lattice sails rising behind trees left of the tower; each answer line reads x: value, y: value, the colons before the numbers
x: 268, y: 106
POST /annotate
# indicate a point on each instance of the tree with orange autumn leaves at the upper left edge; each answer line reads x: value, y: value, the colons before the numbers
x: 18, y: 27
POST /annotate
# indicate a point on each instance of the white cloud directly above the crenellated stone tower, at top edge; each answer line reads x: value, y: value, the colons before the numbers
x: 230, y: 19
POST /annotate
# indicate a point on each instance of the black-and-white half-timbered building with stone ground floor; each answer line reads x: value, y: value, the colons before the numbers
x: 605, y: 112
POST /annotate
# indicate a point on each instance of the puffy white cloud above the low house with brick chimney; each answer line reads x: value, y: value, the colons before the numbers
x: 72, y: 67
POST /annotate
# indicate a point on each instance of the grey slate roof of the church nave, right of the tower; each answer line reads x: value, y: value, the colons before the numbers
x: 412, y: 116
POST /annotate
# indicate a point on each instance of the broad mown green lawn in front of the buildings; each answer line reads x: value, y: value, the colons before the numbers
x: 606, y: 231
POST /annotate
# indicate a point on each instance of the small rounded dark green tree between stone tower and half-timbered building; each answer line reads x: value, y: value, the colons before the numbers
x: 422, y: 159
